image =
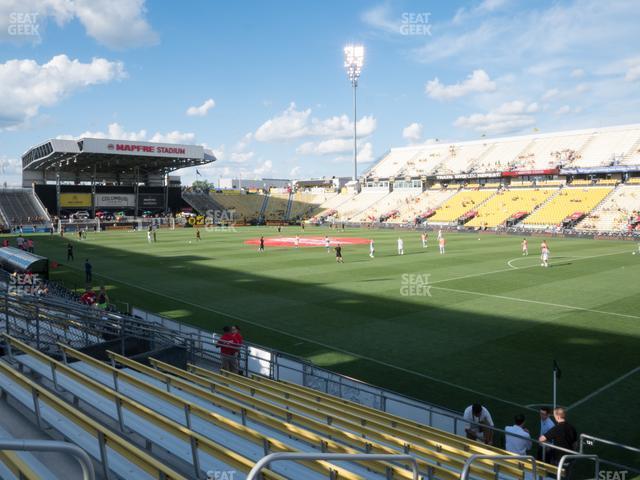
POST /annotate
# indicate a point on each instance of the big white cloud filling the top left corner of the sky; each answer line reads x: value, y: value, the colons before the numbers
x: 115, y: 23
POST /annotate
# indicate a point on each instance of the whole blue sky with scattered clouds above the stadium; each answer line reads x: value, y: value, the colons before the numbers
x: 262, y: 83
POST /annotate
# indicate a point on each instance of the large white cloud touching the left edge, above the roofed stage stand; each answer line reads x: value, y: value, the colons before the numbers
x: 26, y: 86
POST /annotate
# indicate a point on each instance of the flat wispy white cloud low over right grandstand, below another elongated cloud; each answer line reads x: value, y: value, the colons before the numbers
x: 508, y: 117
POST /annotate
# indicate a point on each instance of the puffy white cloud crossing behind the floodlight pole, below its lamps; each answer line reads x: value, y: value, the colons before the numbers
x: 293, y: 123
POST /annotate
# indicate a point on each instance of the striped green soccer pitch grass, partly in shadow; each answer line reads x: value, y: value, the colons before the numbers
x: 488, y: 329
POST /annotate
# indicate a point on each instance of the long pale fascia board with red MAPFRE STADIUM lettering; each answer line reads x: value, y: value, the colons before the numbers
x: 122, y: 147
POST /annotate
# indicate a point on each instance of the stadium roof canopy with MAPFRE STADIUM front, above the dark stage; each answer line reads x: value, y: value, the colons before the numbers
x: 87, y: 155
